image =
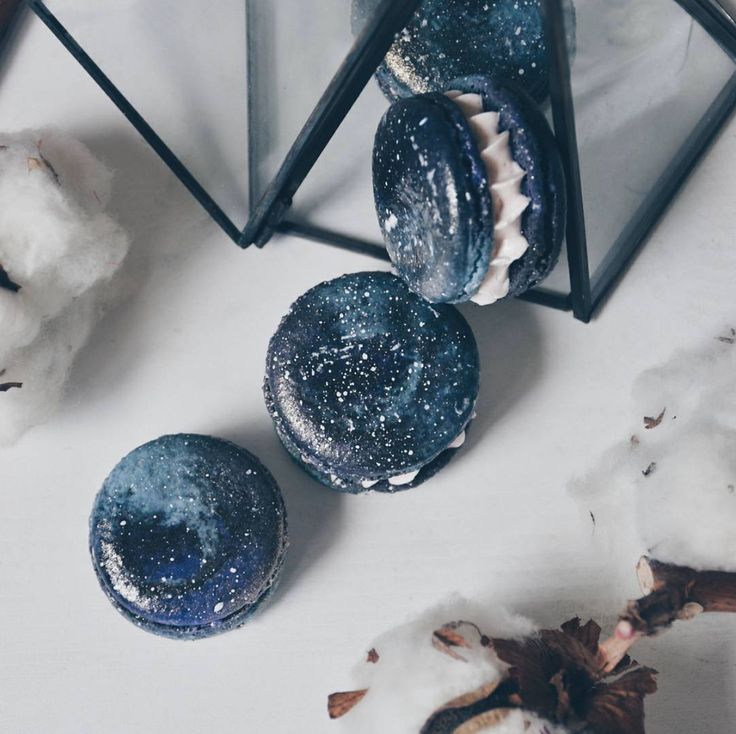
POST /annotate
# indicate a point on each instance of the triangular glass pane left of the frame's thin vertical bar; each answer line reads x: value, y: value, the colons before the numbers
x: 139, y: 47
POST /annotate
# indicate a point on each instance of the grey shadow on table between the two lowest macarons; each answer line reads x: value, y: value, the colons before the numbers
x: 314, y: 511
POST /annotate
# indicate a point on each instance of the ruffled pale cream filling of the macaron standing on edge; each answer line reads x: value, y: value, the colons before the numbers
x: 504, y: 181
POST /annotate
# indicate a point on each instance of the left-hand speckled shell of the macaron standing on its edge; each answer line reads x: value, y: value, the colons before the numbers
x: 432, y: 198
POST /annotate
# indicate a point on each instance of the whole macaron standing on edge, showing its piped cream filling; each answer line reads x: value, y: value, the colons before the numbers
x: 469, y: 191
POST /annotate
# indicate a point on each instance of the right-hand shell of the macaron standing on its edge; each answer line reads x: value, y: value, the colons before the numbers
x: 535, y: 149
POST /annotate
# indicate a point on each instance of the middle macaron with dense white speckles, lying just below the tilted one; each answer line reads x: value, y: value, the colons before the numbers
x: 369, y: 386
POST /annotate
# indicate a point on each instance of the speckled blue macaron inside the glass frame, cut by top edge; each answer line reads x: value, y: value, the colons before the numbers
x: 446, y: 39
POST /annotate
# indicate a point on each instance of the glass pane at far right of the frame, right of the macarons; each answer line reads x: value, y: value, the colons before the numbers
x: 644, y: 75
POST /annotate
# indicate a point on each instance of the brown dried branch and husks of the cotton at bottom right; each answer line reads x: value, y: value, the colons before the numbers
x: 568, y: 676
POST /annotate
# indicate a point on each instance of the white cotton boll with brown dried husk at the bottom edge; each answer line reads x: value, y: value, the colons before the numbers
x: 548, y: 681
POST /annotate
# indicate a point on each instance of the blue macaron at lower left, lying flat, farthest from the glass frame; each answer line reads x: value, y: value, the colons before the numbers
x: 188, y: 535
